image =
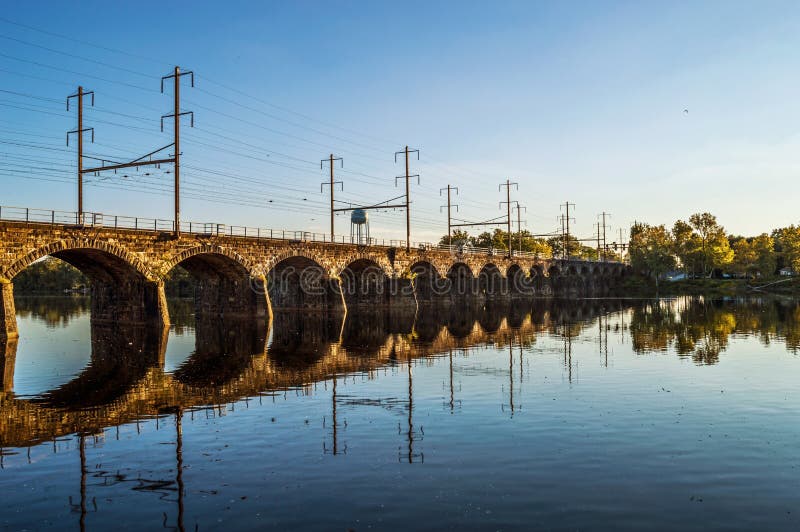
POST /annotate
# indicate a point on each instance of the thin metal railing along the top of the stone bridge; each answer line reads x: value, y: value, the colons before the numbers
x: 158, y: 225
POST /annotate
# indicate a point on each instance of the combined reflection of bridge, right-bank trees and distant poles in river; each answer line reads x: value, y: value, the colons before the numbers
x: 125, y: 379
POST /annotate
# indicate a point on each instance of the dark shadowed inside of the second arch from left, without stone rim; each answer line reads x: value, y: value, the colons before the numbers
x: 222, y: 286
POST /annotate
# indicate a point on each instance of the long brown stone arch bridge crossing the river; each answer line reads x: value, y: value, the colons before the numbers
x: 250, y: 276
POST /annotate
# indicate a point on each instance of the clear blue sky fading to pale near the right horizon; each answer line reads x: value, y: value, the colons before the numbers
x: 649, y: 111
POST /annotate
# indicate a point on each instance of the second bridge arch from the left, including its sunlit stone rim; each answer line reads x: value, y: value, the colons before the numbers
x: 226, y: 285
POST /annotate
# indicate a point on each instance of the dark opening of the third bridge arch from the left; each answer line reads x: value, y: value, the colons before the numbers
x: 301, y: 283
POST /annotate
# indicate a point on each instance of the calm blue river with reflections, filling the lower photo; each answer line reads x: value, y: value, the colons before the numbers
x: 553, y: 415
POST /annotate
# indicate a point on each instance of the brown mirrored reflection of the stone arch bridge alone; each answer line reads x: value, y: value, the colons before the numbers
x: 126, y: 381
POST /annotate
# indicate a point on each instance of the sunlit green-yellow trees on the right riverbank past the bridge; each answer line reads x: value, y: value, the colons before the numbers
x: 701, y: 248
